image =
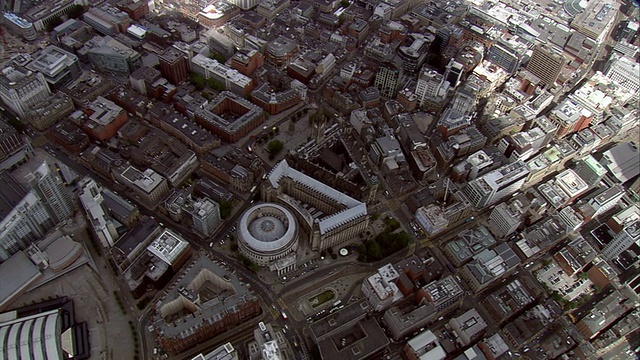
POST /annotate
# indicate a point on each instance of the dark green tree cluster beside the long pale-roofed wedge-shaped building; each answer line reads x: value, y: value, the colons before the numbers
x: 385, y: 244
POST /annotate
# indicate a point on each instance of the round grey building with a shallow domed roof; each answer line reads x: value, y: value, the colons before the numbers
x: 267, y: 232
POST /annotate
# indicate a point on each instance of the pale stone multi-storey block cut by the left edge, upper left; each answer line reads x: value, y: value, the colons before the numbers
x: 22, y: 89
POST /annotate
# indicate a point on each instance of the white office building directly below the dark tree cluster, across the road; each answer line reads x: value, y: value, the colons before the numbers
x: 380, y: 289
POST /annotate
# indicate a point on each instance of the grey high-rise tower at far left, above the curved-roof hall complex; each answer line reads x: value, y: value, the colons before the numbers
x: 49, y: 186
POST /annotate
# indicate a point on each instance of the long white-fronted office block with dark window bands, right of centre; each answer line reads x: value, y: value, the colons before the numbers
x: 497, y: 184
